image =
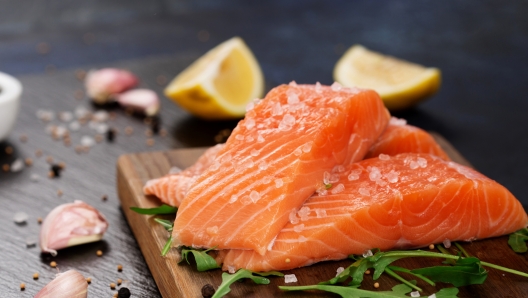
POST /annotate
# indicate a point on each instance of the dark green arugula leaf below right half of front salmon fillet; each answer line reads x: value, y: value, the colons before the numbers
x: 465, y: 272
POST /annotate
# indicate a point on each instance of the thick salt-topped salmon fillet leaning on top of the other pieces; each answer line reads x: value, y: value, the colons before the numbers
x: 273, y: 161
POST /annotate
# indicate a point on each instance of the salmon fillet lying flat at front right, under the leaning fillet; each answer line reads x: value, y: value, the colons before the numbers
x: 405, y: 201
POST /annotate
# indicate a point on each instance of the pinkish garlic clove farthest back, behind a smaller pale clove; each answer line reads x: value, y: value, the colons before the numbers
x: 103, y: 84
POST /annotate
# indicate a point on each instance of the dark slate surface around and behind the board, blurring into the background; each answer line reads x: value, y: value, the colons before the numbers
x: 481, y: 48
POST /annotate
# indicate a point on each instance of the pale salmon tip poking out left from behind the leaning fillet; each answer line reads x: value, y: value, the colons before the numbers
x: 172, y: 188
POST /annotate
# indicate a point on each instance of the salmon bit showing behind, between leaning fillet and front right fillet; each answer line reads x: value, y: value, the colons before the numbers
x: 399, y: 137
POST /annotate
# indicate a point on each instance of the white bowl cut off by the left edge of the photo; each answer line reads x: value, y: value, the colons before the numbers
x: 10, y: 91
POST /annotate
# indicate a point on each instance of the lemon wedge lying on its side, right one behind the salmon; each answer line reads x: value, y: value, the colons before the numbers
x: 401, y: 84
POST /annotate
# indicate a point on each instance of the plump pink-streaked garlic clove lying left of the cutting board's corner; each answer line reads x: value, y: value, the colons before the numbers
x: 71, y: 224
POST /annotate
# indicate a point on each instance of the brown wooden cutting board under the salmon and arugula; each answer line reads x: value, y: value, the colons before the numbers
x: 182, y: 280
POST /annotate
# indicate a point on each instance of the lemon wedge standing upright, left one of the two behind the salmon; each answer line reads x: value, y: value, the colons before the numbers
x: 219, y: 84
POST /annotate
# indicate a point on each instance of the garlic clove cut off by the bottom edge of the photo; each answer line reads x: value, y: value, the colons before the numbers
x: 69, y: 284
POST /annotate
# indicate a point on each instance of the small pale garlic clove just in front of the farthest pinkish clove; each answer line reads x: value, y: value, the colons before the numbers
x: 143, y: 100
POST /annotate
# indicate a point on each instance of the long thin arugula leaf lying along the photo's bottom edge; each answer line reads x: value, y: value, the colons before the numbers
x: 398, y: 291
